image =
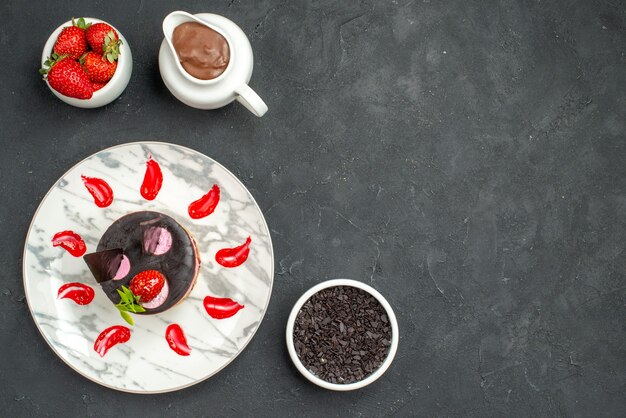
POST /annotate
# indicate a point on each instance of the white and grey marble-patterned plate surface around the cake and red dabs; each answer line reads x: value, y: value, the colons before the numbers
x: 146, y: 364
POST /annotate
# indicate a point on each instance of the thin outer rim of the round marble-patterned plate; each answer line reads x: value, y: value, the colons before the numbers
x: 43, y: 335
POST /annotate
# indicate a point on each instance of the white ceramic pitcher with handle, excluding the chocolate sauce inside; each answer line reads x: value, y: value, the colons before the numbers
x: 231, y: 85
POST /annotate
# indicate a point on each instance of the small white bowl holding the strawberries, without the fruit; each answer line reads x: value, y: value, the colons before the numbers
x: 116, y: 84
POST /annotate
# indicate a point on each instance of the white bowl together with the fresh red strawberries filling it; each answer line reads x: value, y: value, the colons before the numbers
x: 86, y: 63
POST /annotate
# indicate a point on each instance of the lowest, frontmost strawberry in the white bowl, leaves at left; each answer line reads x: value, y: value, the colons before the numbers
x: 67, y: 77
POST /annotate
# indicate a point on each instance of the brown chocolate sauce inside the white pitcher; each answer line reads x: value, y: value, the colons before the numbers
x: 202, y: 52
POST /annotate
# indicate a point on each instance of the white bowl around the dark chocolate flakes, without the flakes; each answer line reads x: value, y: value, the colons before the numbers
x: 349, y: 386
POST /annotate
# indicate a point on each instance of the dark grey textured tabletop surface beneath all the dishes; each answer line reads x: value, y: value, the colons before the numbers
x: 466, y: 158
